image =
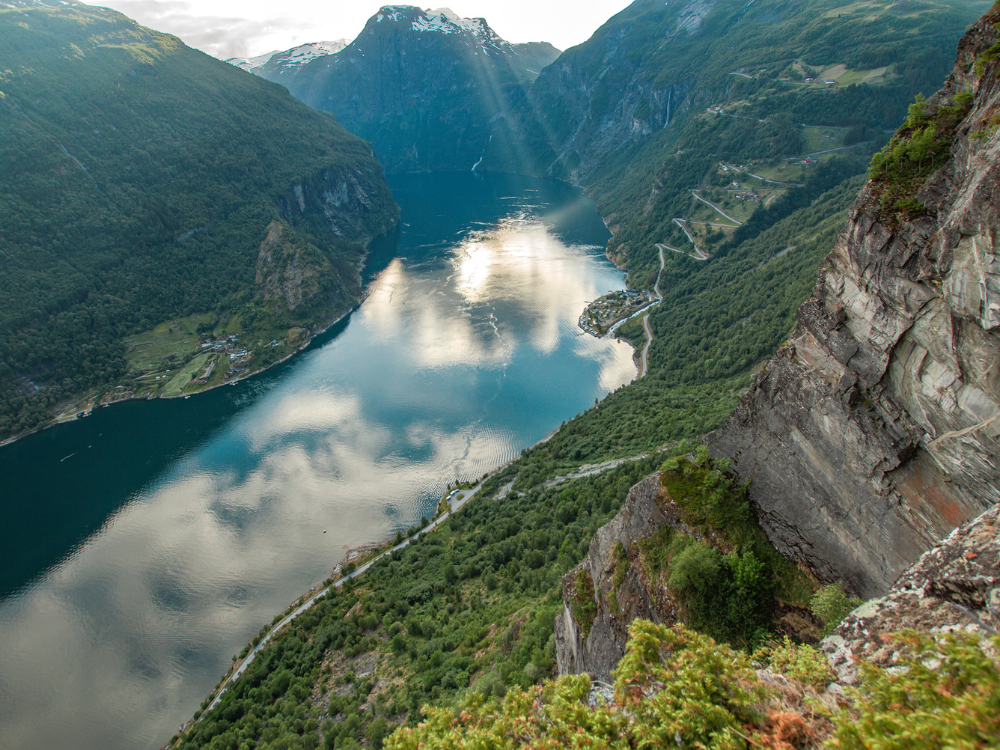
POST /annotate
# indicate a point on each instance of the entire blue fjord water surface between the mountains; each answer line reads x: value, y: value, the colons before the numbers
x: 145, y: 544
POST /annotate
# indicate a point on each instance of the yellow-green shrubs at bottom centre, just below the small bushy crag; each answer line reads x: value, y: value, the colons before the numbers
x: 672, y: 688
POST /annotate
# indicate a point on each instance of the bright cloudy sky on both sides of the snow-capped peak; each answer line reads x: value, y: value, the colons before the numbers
x: 246, y: 28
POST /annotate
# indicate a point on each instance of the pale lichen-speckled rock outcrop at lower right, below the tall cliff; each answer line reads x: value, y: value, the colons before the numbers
x: 955, y: 587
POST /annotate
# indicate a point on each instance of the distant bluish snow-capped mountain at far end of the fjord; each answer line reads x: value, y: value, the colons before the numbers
x: 422, y: 86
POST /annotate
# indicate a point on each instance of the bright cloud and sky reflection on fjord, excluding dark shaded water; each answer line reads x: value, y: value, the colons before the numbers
x: 456, y: 361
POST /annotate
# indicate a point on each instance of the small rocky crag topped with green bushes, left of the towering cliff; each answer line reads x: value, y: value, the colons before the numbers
x: 635, y: 569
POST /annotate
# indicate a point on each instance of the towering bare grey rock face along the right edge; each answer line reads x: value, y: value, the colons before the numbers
x: 874, y: 431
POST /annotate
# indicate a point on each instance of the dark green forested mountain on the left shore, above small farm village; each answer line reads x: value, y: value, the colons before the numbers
x: 154, y: 198
